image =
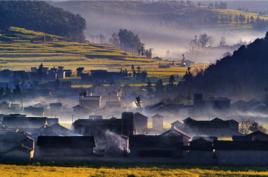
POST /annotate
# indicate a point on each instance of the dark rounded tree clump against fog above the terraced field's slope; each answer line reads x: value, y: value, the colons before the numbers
x: 127, y: 40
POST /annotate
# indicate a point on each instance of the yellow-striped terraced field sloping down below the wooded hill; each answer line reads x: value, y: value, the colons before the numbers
x: 25, y: 49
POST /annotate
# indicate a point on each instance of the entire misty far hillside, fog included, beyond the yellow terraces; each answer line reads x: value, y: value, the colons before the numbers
x: 168, y: 26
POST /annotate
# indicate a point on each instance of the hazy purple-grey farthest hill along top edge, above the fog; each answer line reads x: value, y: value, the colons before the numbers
x: 165, y: 12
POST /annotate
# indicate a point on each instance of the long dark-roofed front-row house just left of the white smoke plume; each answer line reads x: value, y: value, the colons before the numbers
x: 61, y: 148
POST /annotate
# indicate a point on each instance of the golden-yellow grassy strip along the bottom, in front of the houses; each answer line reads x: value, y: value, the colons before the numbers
x: 127, y: 171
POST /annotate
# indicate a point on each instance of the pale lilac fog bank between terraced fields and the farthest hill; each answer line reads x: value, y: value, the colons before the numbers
x: 167, y: 38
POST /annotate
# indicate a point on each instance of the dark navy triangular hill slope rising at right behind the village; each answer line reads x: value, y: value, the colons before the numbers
x: 242, y: 75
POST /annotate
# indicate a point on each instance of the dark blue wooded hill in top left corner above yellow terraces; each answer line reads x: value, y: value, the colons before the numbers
x: 41, y: 16
